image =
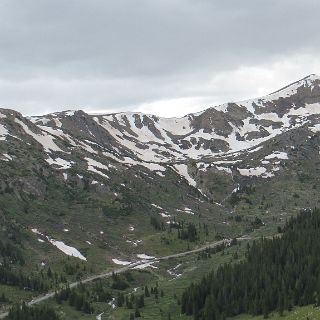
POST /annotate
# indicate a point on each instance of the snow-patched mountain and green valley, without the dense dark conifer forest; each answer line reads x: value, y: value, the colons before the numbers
x: 113, y: 216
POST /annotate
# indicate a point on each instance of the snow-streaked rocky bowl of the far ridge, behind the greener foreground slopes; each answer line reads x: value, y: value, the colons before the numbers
x: 215, y: 132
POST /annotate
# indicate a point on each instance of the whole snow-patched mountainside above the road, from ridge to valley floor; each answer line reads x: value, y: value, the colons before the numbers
x: 110, y: 185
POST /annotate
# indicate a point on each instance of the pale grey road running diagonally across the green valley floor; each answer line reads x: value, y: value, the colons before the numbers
x: 124, y: 269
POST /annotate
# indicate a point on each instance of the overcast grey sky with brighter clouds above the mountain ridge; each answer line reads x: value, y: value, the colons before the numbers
x: 164, y: 57
